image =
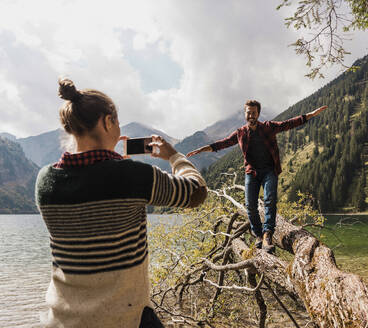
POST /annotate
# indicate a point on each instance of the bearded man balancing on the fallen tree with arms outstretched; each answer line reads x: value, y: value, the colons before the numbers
x: 257, y: 140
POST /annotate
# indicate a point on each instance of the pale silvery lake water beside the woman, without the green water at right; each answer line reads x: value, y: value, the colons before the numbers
x: 26, y: 266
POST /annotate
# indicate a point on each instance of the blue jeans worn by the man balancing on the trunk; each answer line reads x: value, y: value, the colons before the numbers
x: 268, y: 180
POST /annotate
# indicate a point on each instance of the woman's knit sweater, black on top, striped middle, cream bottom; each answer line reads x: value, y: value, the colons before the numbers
x: 96, y: 218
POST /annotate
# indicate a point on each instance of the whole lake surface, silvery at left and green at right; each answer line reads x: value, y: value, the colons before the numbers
x: 26, y: 262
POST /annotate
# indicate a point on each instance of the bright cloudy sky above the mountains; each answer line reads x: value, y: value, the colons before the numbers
x: 176, y: 65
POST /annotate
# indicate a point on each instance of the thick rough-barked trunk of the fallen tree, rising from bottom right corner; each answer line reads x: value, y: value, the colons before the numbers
x: 332, y: 298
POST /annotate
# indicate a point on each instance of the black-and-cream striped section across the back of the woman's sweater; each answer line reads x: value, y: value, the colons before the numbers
x: 97, y: 236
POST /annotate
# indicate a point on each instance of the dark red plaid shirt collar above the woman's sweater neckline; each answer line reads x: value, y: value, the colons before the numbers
x: 86, y: 158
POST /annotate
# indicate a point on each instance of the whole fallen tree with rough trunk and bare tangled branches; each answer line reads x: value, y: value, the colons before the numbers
x: 331, y: 297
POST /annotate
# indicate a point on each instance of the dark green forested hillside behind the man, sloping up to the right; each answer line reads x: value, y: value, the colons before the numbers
x: 328, y: 156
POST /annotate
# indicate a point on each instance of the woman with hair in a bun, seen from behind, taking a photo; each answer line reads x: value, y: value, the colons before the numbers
x: 93, y: 203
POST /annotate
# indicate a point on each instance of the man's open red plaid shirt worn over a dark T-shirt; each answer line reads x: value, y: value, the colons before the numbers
x: 267, y: 130
